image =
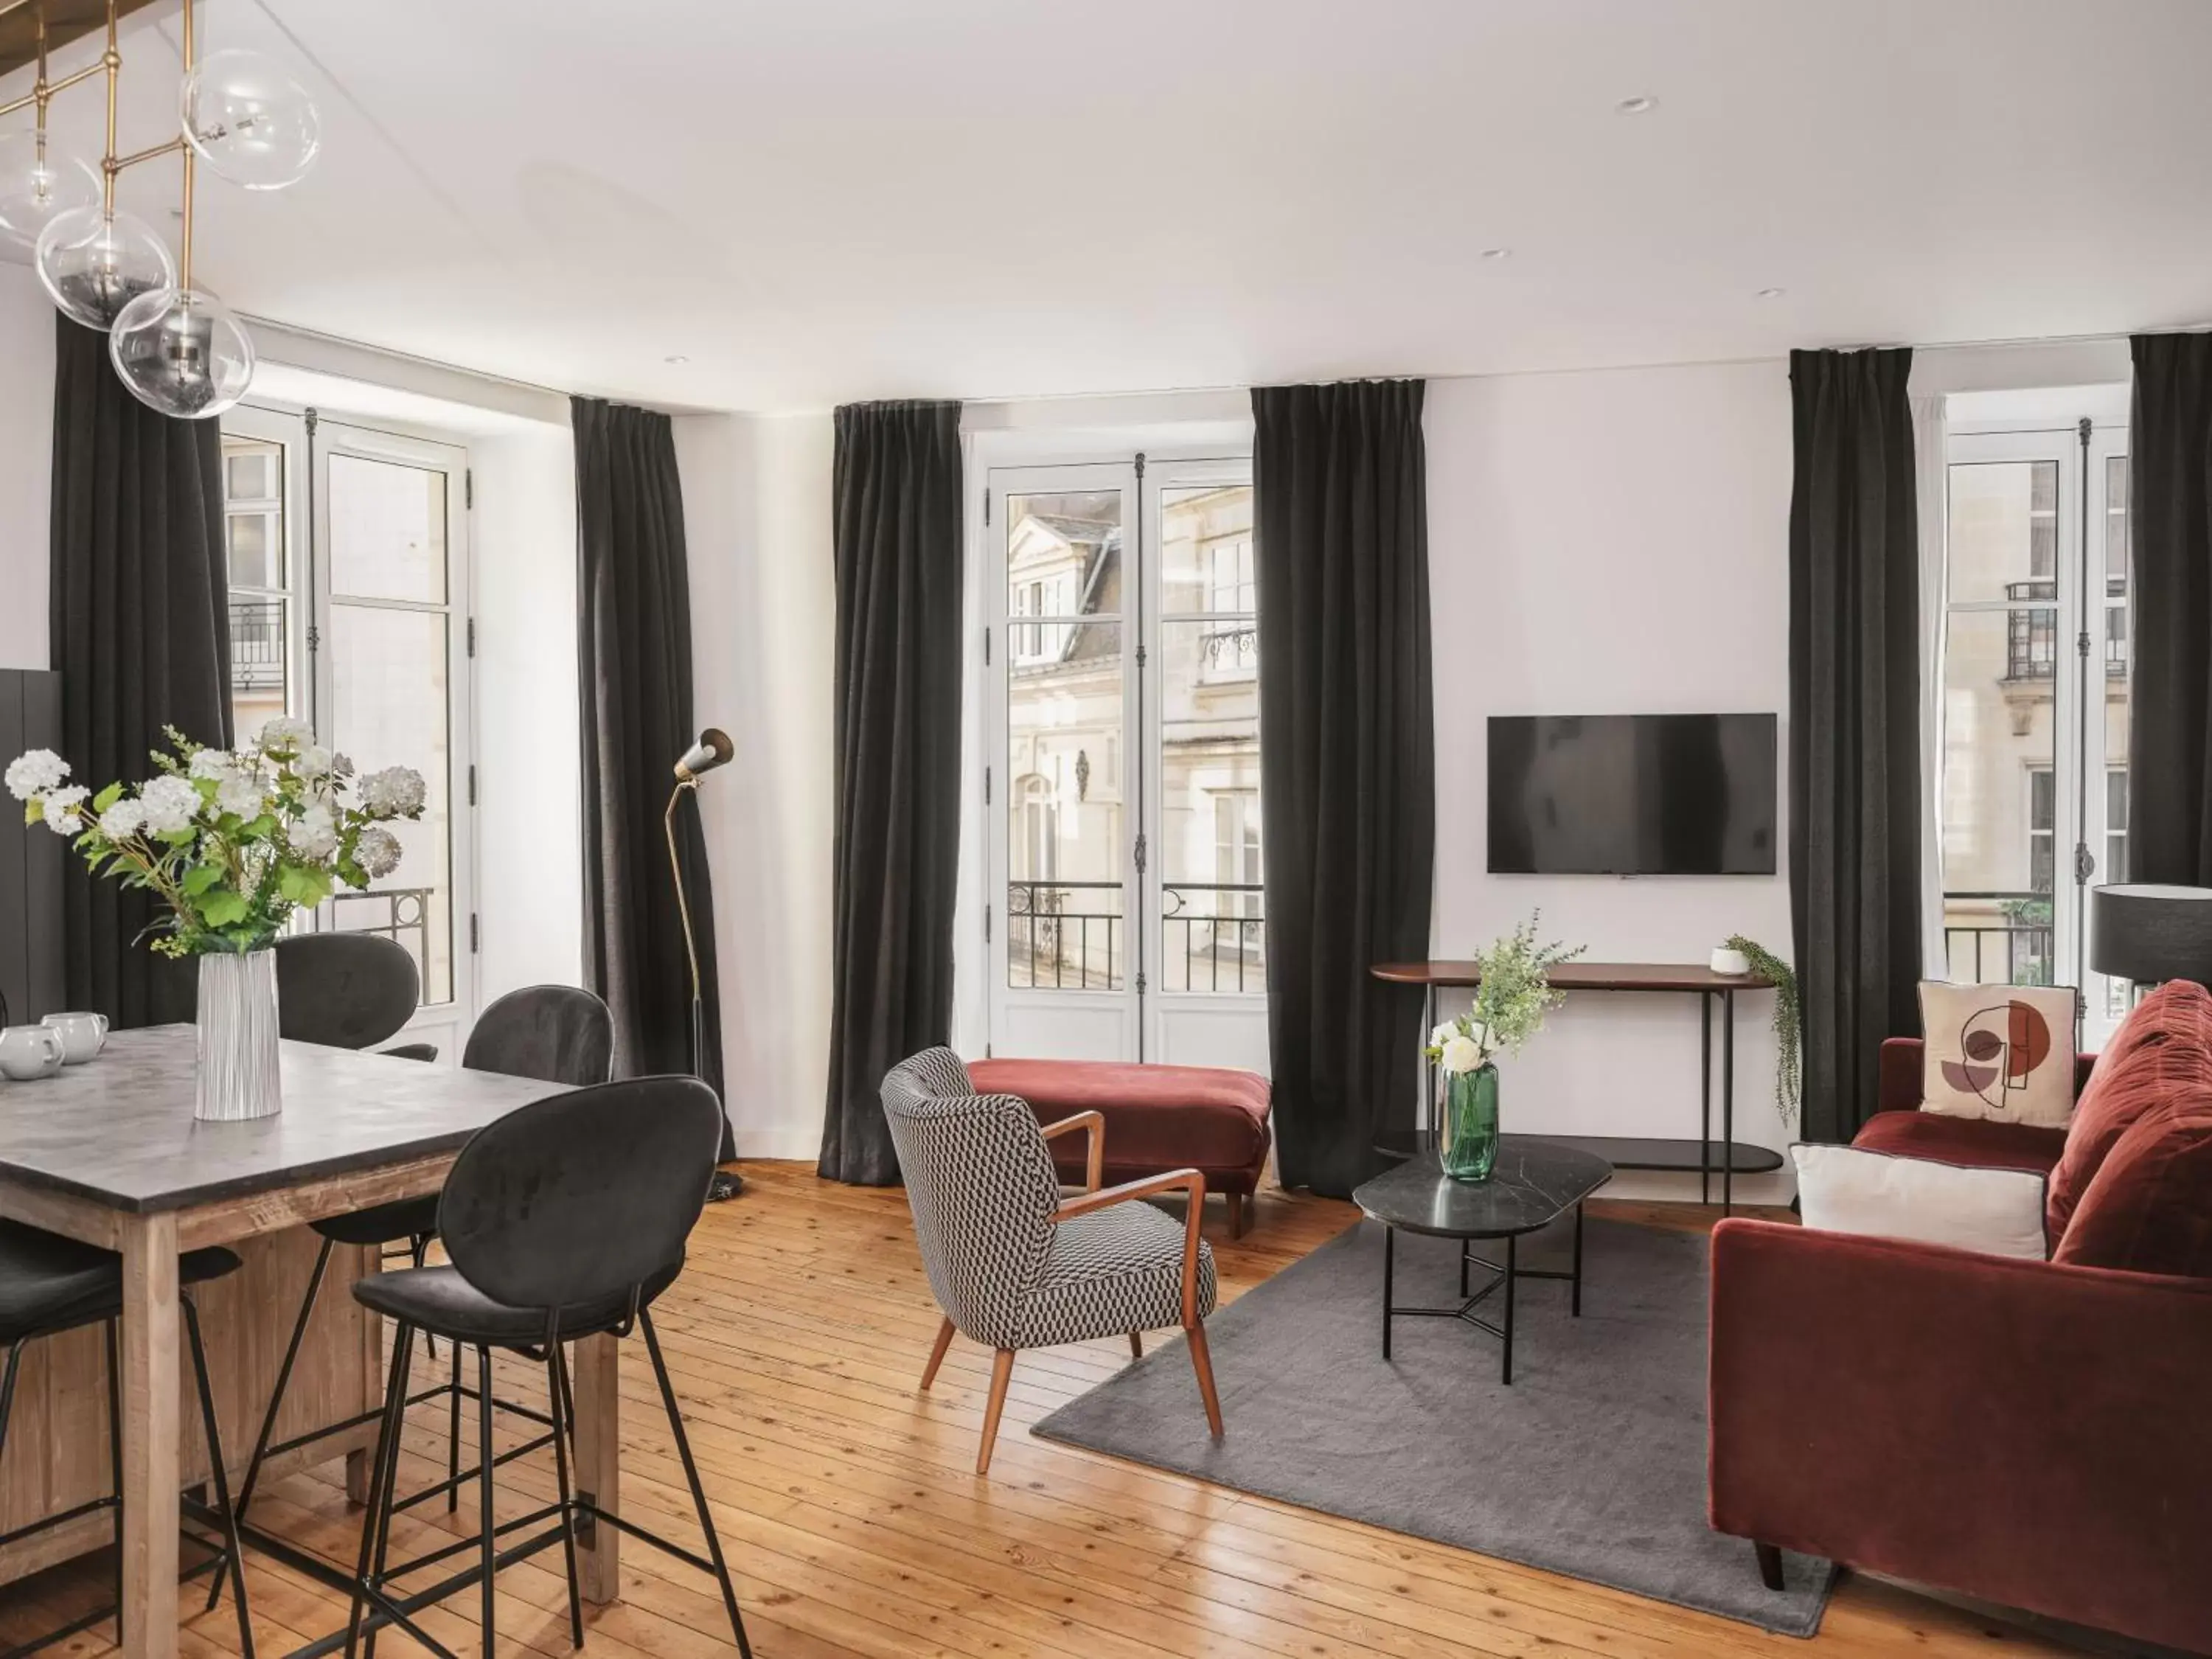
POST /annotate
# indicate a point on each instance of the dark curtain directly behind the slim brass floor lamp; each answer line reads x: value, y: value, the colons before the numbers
x: 634, y: 680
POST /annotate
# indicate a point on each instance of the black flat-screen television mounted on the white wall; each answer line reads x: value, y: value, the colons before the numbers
x: 1634, y: 795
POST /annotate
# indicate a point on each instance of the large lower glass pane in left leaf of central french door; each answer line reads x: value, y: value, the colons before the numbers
x: 1065, y: 800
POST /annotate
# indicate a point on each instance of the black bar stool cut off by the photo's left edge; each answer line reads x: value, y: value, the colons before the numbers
x: 50, y: 1286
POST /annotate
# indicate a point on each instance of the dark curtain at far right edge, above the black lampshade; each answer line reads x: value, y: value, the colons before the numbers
x: 2171, y: 532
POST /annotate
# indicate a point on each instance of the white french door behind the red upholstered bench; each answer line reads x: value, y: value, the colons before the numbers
x: 1127, y: 901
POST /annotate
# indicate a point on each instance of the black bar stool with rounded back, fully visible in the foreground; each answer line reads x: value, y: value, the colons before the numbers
x: 561, y: 1220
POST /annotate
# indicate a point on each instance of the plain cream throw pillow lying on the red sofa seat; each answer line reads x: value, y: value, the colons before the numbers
x: 1848, y: 1189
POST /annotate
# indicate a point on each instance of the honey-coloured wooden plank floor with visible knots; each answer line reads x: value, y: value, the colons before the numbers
x: 857, y: 1527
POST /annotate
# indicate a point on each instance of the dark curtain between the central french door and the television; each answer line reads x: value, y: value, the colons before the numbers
x: 1348, y: 762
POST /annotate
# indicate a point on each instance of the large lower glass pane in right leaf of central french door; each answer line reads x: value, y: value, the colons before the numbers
x: 1211, y: 904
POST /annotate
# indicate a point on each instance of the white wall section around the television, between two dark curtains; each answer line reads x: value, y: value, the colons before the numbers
x: 1607, y: 545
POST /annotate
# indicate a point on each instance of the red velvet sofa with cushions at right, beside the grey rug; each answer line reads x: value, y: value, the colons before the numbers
x: 2025, y: 1432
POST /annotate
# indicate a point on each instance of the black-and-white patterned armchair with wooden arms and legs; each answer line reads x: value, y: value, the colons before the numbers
x: 1019, y: 1266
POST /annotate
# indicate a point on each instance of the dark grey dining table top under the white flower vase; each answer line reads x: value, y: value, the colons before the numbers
x: 121, y: 1129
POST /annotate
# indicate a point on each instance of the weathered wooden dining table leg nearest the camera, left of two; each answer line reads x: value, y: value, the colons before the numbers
x: 152, y: 1454
